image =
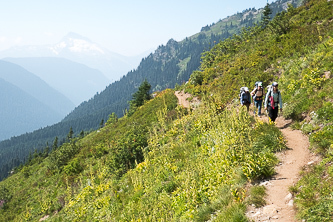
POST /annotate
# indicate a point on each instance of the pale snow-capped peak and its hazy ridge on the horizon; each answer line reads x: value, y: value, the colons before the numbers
x: 81, y: 50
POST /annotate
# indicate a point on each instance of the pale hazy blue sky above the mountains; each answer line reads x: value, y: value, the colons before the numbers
x: 128, y: 27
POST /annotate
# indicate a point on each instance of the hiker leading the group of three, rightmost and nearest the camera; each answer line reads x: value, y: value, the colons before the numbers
x: 272, y: 102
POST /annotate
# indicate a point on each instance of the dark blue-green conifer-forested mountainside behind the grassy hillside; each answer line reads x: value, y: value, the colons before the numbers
x: 169, y: 65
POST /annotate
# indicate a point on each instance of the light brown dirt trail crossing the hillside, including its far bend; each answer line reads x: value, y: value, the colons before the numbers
x: 279, y: 200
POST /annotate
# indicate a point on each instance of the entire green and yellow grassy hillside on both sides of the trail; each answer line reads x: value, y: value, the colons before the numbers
x: 165, y: 163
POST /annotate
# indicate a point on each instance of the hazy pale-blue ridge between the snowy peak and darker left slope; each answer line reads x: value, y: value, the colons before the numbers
x: 74, y: 80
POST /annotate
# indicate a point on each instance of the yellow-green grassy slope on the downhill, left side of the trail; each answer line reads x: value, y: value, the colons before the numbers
x: 164, y: 161
